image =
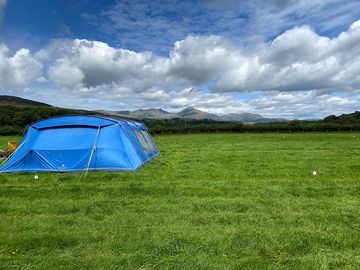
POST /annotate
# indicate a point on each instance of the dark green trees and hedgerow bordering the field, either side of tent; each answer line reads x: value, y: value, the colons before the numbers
x: 15, y: 119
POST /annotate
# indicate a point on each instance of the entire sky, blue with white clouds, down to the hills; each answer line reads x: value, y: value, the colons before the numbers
x: 278, y: 58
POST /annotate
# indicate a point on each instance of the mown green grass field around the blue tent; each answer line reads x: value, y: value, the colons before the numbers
x: 229, y: 201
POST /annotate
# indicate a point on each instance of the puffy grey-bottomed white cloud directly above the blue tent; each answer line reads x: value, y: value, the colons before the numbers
x: 93, y: 63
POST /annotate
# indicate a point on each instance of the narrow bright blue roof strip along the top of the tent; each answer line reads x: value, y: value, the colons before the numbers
x: 82, y: 120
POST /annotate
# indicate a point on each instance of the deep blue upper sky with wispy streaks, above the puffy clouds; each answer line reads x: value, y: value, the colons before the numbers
x: 157, y: 25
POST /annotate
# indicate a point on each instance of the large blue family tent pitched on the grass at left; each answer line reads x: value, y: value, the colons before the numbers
x: 82, y: 143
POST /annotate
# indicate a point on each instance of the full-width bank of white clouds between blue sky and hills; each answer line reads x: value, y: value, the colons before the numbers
x: 204, y: 71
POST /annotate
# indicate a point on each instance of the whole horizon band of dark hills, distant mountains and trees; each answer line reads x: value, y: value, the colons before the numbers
x: 18, y: 112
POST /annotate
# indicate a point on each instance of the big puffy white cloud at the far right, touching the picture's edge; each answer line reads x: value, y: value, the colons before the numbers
x: 299, y: 59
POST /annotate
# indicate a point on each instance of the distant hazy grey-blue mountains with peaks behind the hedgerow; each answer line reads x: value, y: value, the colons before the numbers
x: 193, y: 114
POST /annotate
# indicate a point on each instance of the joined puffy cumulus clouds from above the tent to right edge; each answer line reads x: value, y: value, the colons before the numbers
x: 297, y: 60
